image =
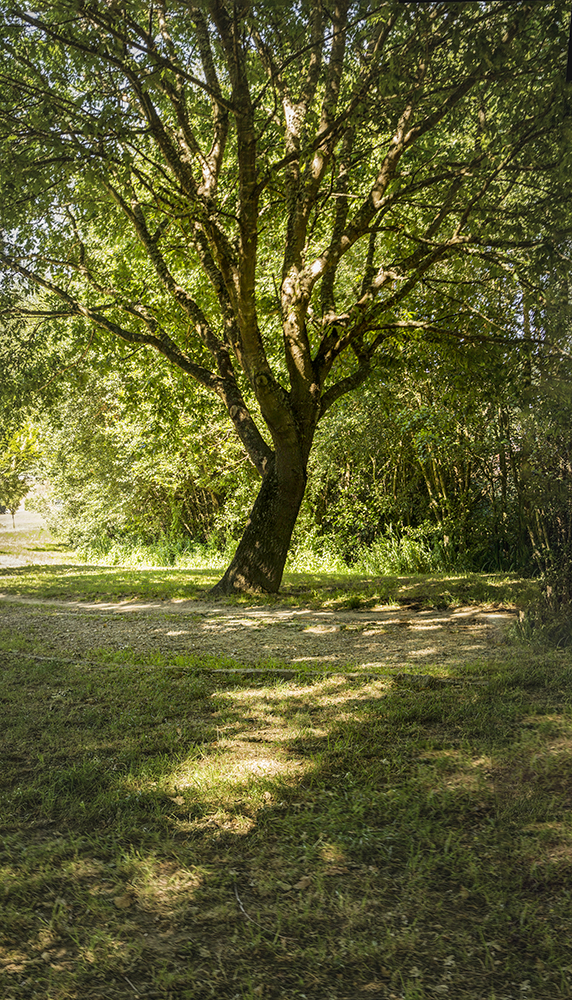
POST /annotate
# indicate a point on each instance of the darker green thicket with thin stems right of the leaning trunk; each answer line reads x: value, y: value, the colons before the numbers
x: 417, y: 464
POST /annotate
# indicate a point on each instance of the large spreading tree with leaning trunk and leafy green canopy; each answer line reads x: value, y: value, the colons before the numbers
x: 256, y: 190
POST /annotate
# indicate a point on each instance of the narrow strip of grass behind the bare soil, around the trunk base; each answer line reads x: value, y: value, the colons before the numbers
x: 318, y: 582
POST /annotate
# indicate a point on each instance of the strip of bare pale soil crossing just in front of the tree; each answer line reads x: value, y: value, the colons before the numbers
x: 373, y: 639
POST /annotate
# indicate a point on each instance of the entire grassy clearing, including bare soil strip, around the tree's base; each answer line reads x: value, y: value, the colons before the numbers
x: 278, y: 800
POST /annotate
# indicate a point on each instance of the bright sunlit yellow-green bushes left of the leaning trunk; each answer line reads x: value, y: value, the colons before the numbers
x: 127, y: 469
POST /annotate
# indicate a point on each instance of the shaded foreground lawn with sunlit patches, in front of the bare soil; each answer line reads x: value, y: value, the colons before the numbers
x: 166, y: 834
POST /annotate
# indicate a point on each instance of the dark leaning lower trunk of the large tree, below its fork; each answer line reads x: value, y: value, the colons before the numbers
x: 259, y: 560
